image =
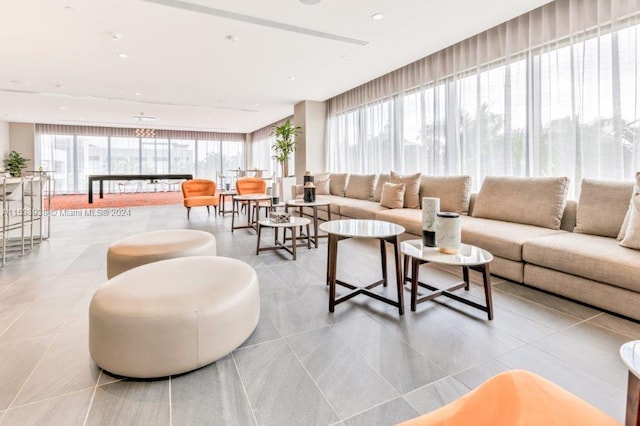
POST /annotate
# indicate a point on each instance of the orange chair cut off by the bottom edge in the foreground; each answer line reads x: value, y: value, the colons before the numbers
x: 516, y: 398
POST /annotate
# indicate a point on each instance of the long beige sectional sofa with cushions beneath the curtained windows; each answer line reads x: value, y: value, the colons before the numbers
x: 536, y: 235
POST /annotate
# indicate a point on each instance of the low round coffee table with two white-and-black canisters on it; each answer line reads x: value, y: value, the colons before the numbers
x: 468, y: 257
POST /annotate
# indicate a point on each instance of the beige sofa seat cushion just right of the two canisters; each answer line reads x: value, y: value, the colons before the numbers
x: 504, y: 239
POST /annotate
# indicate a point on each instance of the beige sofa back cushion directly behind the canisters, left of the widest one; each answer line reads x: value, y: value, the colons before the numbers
x: 454, y: 191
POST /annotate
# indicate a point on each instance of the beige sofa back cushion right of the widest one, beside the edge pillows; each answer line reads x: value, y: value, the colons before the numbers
x: 602, y: 207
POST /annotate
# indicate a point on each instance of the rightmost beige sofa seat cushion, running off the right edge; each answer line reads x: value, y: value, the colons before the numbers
x: 590, y: 256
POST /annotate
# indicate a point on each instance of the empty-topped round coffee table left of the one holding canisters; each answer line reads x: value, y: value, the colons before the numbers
x: 386, y: 232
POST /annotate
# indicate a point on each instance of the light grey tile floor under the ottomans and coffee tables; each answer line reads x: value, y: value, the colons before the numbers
x: 362, y: 365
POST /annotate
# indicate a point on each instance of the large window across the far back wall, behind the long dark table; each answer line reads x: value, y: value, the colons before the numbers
x: 74, y: 157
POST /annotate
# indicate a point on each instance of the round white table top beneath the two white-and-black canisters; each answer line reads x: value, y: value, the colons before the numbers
x: 467, y: 255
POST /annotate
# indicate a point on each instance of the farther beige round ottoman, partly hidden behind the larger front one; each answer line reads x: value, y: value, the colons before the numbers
x: 141, y: 249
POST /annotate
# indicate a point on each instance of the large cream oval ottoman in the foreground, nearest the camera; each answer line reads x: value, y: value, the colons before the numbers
x: 173, y: 316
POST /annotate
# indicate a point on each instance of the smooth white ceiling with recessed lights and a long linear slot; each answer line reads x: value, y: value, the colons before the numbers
x: 214, y: 65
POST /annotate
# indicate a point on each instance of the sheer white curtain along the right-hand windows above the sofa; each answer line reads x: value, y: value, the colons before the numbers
x: 553, y: 92
